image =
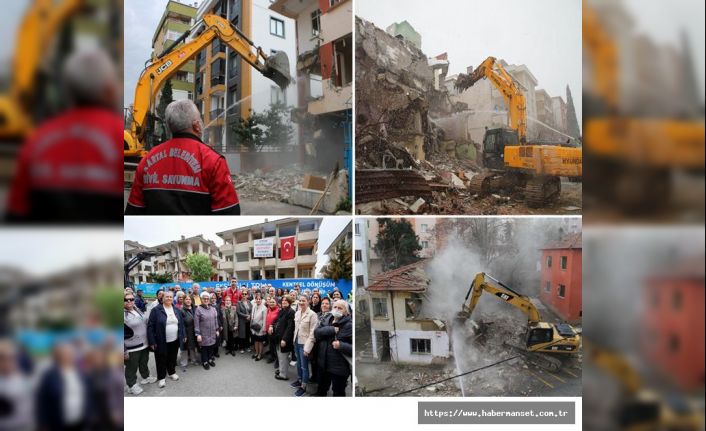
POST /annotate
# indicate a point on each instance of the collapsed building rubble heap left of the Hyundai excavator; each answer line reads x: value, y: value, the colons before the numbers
x: 410, y: 159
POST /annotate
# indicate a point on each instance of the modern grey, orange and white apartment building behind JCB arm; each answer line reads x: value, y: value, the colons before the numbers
x: 223, y: 78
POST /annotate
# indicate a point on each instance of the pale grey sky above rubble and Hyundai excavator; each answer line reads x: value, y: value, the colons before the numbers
x: 545, y: 35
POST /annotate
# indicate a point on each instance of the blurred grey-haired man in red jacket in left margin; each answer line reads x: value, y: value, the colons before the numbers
x: 70, y: 167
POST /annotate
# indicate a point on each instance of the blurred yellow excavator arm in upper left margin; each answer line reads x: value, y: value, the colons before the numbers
x: 39, y: 27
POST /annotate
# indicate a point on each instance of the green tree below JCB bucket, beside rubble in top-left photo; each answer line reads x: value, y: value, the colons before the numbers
x: 271, y: 127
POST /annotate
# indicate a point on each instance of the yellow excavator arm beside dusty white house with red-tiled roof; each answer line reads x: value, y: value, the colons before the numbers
x: 483, y: 282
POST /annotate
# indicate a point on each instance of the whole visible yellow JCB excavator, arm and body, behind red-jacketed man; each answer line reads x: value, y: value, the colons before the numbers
x: 139, y: 134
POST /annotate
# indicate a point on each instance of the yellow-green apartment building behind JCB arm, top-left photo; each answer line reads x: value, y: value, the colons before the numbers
x: 177, y: 18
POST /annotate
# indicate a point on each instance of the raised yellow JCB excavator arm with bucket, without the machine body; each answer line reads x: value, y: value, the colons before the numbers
x: 275, y: 67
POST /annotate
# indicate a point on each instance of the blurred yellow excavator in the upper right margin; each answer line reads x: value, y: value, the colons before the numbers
x: 631, y: 158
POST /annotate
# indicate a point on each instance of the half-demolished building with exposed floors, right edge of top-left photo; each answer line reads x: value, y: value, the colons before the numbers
x: 324, y: 77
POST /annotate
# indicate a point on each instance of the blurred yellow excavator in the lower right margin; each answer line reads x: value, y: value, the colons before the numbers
x: 639, y: 408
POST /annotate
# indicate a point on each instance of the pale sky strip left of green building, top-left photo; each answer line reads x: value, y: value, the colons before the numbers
x: 141, y: 19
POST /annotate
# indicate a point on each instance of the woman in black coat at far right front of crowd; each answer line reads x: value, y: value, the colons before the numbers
x: 335, y: 344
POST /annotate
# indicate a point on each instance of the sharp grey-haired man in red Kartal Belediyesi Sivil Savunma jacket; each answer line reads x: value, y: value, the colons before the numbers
x: 183, y: 176
